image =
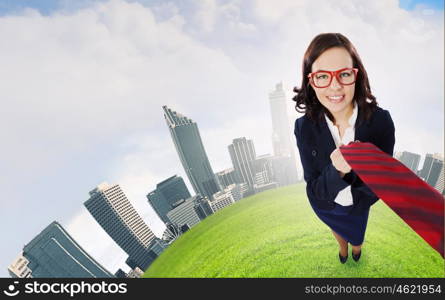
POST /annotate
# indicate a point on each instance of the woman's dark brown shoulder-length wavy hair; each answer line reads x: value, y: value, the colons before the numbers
x: 306, y: 100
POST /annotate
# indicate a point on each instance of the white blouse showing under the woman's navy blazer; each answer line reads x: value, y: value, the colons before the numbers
x: 344, y: 197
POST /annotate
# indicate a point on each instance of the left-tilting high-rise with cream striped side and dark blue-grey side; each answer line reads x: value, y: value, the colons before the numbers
x: 112, y: 210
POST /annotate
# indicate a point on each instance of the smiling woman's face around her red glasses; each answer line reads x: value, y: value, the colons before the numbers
x: 336, y: 98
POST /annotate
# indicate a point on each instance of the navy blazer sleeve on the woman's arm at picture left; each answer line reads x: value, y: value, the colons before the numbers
x: 320, y: 186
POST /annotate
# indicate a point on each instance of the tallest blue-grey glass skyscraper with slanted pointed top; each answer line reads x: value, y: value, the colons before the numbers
x: 188, y: 144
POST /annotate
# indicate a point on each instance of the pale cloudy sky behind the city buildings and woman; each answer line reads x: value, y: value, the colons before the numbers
x: 83, y: 84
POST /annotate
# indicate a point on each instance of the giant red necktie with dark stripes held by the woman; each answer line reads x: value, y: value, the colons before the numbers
x: 415, y: 201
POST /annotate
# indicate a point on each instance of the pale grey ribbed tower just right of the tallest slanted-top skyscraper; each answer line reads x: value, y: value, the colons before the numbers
x: 242, y: 153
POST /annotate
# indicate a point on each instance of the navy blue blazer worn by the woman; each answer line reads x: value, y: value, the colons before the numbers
x: 315, y: 144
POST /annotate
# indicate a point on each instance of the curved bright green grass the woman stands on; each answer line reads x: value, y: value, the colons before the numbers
x: 276, y: 234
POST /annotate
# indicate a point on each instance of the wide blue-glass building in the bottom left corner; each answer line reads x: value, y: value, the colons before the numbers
x: 53, y: 253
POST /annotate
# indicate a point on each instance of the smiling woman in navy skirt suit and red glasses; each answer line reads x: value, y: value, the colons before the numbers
x: 339, y: 108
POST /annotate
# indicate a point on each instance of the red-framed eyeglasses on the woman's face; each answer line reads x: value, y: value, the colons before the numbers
x: 322, y: 79
